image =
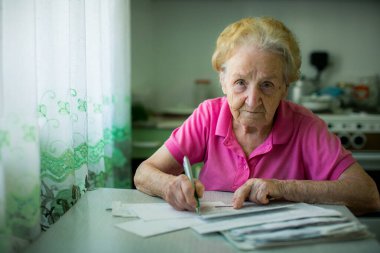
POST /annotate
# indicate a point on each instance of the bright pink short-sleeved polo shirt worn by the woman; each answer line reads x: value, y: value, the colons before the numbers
x: 298, y: 147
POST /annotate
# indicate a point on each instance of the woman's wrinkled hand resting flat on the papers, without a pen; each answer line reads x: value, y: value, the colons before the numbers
x: 259, y: 191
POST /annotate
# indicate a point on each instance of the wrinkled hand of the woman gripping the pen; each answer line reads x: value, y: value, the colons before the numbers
x: 179, y: 193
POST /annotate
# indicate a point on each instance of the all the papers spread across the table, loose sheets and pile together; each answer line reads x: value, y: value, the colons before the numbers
x: 248, y: 228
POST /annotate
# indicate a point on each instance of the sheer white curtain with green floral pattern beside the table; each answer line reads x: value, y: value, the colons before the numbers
x: 64, y: 109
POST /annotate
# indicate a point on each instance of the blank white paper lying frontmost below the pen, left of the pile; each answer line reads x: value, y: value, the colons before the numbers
x: 156, y: 227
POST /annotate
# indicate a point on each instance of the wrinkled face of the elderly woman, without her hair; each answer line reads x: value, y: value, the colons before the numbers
x: 254, y: 84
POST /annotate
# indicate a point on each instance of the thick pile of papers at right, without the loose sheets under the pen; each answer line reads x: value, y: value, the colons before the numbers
x: 300, y: 224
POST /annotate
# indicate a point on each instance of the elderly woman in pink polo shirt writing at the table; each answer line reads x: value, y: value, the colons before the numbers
x: 252, y: 141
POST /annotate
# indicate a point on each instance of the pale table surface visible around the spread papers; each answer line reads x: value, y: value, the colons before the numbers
x: 88, y: 227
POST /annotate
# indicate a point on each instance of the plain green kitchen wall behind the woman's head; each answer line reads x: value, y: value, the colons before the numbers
x: 173, y: 41
